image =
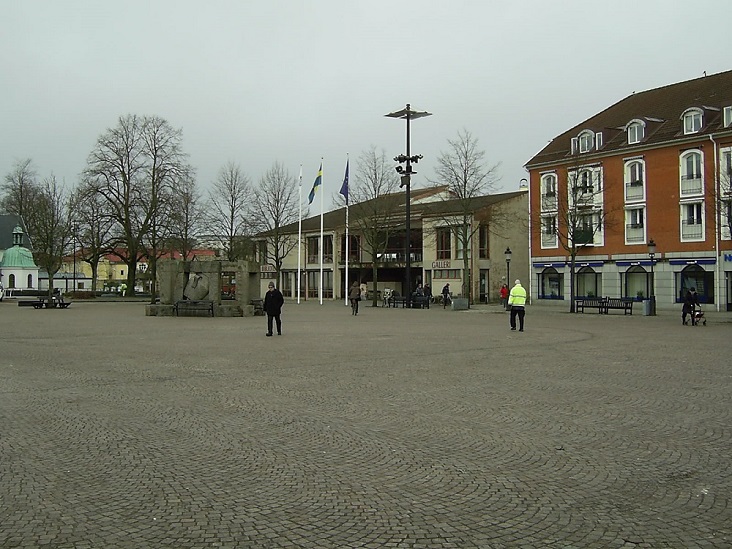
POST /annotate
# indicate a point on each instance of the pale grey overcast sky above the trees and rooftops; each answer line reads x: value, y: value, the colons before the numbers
x: 256, y: 82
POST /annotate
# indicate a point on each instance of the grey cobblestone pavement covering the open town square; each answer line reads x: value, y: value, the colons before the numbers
x: 395, y: 428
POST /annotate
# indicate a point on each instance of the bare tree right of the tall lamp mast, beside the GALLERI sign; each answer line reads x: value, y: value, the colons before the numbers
x: 462, y: 168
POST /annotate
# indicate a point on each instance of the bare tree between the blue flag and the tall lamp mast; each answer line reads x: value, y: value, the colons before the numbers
x: 374, y: 205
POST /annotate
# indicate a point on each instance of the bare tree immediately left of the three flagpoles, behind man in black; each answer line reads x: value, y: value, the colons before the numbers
x: 275, y: 204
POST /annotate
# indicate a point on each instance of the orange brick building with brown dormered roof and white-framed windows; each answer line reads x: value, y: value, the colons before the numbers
x: 654, y: 168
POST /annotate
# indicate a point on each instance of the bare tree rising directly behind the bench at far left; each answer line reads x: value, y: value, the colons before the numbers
x: 51, y: 228
